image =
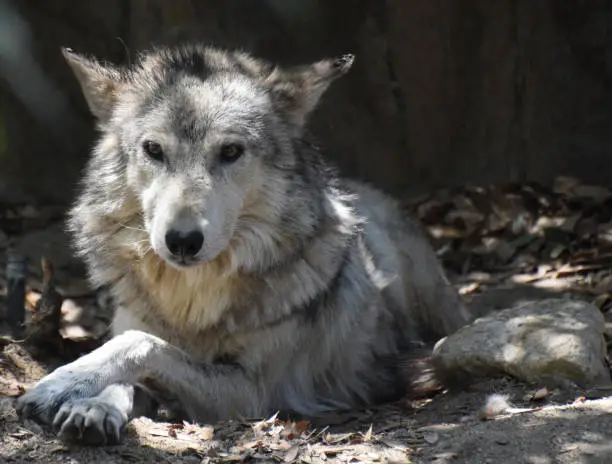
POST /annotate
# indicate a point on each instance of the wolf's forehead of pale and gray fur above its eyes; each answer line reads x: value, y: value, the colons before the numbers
x: 193, y: 106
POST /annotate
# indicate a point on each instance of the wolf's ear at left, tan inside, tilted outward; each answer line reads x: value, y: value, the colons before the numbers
x: 99, y: 83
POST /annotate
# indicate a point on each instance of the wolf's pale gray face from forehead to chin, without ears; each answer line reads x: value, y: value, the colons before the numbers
x: 196, y: 155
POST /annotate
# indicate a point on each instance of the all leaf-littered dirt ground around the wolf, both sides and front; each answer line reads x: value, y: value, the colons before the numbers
x: 494, y: 265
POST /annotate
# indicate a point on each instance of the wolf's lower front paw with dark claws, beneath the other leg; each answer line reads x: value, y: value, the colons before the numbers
x: 92, y: 421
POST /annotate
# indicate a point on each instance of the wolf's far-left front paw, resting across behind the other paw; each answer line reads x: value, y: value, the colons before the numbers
x: 42, y: 402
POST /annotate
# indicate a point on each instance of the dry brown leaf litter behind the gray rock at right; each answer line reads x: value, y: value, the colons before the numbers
x: 556, y: 238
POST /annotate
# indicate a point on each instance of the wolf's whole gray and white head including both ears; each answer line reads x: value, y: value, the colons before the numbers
x: 199, y: 141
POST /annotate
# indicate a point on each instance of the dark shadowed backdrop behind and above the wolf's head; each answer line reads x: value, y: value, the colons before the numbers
x: 443, y: 92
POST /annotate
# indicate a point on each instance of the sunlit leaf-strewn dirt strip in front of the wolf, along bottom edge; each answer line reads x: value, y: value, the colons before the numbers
x: 569, y: 426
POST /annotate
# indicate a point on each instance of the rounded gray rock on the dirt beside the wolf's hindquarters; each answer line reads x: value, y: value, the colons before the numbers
x: 548, y: 340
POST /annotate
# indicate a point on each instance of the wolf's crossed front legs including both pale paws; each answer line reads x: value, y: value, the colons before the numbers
x: 94, y: 390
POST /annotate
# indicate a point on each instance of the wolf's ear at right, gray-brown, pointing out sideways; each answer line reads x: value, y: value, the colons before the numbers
x: 298, y: 90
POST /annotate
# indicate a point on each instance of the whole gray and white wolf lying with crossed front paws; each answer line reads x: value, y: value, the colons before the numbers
x: 248, y: 275
